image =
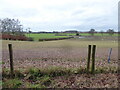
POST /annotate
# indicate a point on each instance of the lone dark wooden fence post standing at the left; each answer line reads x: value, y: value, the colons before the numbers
x: 11, y: 60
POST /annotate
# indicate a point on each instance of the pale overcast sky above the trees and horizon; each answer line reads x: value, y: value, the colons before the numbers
x: 62, y: 15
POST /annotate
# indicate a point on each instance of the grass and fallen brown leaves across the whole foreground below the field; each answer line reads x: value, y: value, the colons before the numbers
x: 46, y: 77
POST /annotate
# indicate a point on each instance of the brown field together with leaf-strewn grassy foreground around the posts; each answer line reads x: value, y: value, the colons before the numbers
x: 61, y: 64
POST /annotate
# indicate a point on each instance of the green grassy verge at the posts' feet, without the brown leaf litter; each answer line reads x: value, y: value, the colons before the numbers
x: 42, y: 78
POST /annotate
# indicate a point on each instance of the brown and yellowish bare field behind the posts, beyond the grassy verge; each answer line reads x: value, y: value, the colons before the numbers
x: 72, y: 52
